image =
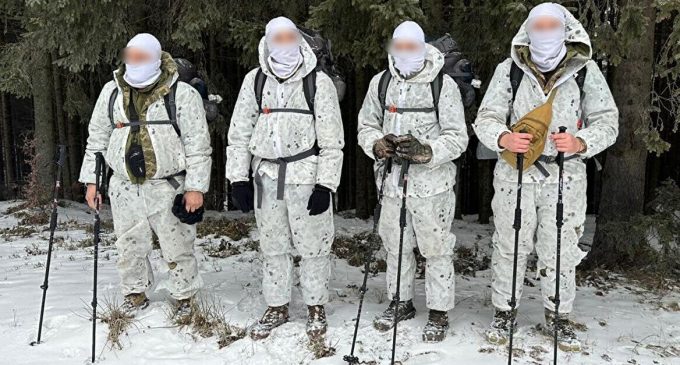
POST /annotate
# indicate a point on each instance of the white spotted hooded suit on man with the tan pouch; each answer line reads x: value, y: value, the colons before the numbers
x: 599, y: 128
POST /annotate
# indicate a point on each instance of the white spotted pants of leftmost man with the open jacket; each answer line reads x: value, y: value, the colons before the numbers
x: 139, y: 210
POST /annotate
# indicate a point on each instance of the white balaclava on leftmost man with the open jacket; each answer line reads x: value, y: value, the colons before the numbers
x: 142, y: 75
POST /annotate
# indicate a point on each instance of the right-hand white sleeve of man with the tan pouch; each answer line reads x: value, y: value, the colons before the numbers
x: 601, y: 116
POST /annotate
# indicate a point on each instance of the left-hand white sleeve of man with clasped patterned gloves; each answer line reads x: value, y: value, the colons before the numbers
x: 369, y: 125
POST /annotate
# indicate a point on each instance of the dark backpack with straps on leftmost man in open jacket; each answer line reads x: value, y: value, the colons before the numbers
x: 187, y: 73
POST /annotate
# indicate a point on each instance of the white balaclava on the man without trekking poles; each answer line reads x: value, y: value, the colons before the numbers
x: 283, y: 59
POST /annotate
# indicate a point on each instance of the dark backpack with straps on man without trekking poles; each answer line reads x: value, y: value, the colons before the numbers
x: 324, y: 63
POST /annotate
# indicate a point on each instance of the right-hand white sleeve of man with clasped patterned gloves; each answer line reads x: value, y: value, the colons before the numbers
x: 453, y: 138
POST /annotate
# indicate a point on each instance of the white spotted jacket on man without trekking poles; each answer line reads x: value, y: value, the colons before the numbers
x: 254, y: 136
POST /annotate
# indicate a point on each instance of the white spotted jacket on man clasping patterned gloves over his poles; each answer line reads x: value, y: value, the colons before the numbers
x: 447, y: 136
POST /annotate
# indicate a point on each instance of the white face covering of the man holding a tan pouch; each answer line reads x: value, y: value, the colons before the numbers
x: 547, y: 48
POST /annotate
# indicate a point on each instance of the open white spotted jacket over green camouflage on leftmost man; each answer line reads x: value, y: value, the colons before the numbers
x: 190, y: 152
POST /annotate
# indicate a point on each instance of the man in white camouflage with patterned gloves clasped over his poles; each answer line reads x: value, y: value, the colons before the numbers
x: 407, y: 125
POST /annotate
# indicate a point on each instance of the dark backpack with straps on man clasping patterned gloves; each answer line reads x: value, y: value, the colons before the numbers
x: 455, y: 65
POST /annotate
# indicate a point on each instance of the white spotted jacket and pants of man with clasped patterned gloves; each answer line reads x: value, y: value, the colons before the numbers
x: 430, y: 197
